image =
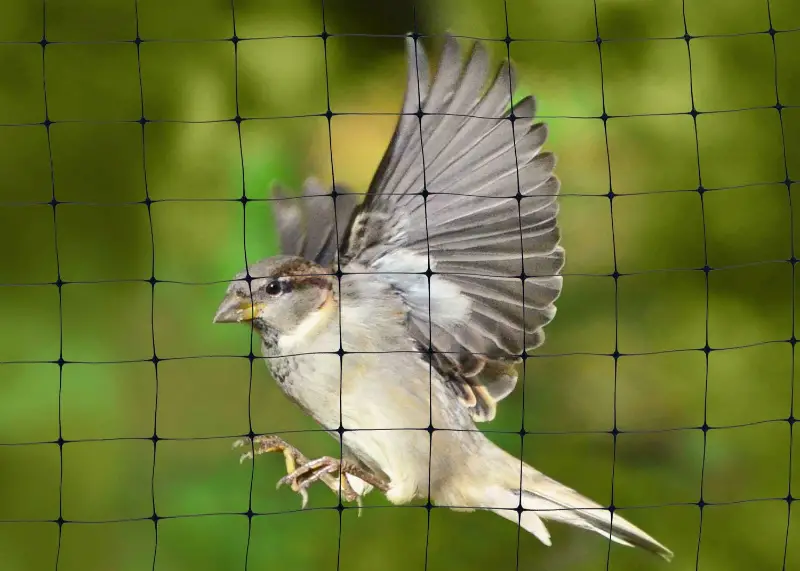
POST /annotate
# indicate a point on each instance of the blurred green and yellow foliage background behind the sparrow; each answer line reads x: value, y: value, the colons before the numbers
x: 572, y: 394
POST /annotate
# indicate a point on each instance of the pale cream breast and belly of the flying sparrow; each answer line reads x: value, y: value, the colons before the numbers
x: 379, y: 391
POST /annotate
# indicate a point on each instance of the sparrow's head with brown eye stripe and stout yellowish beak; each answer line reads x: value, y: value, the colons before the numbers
x: 280, y: 296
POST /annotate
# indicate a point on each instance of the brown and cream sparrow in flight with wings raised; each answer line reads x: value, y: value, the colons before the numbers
x: 397, y: 317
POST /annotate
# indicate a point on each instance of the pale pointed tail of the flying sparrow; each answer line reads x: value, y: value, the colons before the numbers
x: 542, y: 498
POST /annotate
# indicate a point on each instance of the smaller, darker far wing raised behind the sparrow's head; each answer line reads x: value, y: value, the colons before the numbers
x: 307, y: 224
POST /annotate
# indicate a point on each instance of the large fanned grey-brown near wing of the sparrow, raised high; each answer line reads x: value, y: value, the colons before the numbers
x: 460, y: 218
